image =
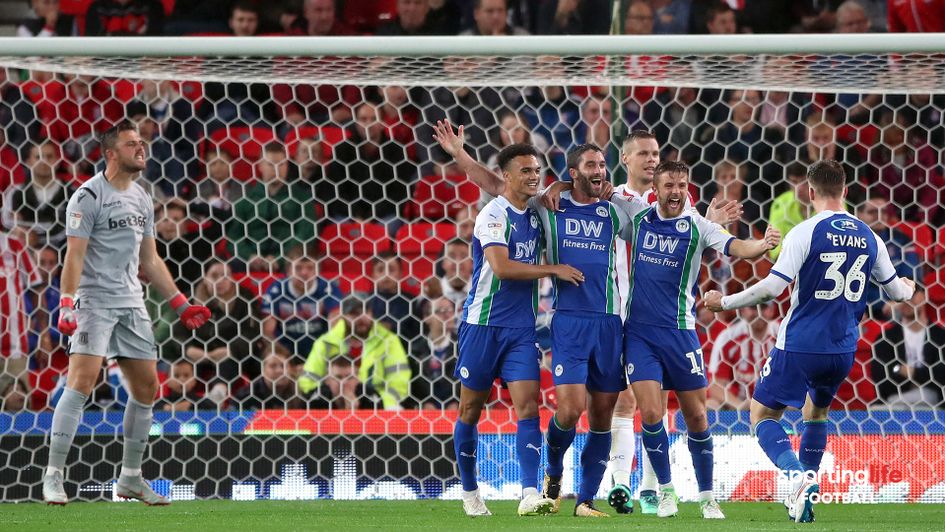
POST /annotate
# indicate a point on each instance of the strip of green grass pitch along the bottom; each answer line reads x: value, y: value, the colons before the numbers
x: 440, y: 515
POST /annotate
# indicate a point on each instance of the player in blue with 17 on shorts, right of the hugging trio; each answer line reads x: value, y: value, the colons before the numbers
x: 660, y: 343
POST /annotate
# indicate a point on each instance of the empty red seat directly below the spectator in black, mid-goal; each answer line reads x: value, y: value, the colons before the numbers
x: 349, y: 249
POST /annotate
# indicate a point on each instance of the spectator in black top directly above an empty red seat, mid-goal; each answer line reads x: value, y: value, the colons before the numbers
x: 370, y: 171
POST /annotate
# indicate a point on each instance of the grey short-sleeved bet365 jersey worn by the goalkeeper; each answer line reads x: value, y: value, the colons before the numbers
x: 114, y: 222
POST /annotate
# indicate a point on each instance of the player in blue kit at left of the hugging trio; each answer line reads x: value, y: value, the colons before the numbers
x: 497, y: 334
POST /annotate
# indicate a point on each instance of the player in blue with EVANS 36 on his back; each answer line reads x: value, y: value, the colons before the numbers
x: 829, y: 258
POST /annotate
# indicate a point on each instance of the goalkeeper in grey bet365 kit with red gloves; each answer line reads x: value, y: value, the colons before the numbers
x: 110, y: 230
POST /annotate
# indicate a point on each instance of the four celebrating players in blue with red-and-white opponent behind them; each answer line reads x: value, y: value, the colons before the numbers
x: 625, y: 265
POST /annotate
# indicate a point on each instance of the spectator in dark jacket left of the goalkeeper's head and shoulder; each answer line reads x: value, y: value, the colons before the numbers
x: 39, y: 206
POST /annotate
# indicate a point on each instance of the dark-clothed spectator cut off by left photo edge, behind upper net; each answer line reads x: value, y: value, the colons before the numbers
x: 18, y: 124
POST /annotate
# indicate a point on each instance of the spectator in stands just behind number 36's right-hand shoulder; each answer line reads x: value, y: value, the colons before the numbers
x: 902, y: 252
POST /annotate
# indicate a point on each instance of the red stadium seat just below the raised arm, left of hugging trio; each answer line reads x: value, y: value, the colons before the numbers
x: 437, y: 197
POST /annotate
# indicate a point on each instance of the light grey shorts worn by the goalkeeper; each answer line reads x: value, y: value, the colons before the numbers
x: 114, y: 333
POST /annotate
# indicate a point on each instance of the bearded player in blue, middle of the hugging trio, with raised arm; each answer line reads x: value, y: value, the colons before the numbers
x: 586, y: 327
